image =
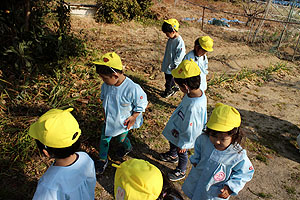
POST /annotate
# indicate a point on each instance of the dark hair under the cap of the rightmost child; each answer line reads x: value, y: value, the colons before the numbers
x: 237, y: 134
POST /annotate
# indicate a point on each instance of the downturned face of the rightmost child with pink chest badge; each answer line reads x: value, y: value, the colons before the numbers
x: 220, y: 140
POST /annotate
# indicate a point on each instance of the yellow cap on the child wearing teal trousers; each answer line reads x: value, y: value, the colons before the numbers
x: 110, y: 59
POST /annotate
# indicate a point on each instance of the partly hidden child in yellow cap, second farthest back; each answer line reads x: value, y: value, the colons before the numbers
x: 202, y: 45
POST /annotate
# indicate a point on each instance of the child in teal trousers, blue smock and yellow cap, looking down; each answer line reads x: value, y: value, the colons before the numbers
x: 123, y: 103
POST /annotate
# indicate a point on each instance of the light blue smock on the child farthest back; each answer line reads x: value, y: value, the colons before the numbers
x: 174, y: 53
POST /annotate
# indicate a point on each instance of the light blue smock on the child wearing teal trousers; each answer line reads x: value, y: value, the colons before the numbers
x: 119, y: 103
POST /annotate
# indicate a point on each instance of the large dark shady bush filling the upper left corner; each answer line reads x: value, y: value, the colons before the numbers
x: 35, y: 37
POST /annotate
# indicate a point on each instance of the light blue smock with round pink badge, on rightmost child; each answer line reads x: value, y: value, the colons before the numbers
x: 215, y: 169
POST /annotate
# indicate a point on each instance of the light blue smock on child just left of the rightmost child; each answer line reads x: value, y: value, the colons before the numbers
x: 188, y: 120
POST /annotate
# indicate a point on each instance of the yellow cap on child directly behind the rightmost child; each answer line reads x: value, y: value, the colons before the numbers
x: 186, y: 69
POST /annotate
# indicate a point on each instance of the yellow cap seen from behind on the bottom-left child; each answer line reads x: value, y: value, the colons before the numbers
x: 56, y: 128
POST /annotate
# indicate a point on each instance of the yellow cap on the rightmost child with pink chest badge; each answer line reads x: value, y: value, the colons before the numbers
x: 224, y: 118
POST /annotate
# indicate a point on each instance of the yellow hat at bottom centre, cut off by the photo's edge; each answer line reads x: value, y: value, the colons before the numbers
x: 137, y: 179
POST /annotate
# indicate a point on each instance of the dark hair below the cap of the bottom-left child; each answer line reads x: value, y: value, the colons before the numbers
x: 59, y: 152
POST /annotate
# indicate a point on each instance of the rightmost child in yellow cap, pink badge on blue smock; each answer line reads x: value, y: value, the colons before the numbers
x: 220, y: 165
